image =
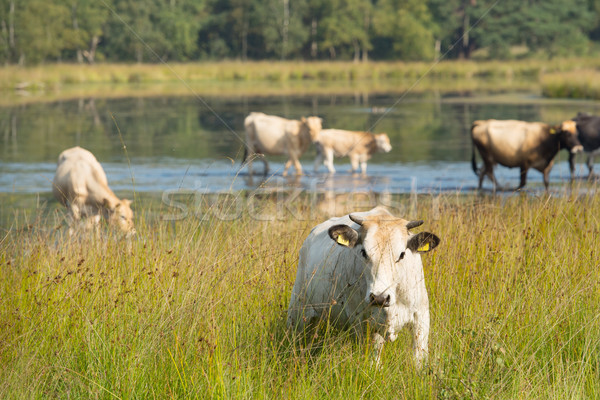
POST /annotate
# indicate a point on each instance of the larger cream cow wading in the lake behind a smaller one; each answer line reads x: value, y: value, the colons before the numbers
x: 268, y: 134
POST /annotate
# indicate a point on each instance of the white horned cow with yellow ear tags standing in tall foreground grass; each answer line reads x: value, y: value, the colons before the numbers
x: 364, y: 269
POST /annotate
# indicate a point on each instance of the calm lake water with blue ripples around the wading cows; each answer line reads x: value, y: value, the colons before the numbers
x: 189, y: 143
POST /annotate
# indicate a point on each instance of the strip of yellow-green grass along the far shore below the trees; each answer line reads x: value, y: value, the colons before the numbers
x: 62, y: 81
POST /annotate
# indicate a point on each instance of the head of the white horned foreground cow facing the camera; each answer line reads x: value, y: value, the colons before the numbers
x: 387, y: 248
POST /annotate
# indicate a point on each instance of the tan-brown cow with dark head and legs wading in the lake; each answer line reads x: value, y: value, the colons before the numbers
x: 520, y: 144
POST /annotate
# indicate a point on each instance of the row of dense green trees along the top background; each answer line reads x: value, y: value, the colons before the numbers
x: 89, y: 31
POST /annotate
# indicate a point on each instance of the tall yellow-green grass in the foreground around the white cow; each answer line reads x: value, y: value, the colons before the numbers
x: 197, y: 309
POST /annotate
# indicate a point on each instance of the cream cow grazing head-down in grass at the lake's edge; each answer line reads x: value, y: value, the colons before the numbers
x: 80, y: 184
